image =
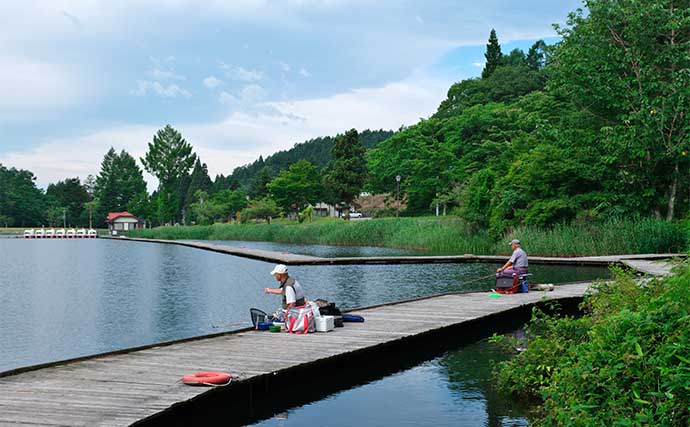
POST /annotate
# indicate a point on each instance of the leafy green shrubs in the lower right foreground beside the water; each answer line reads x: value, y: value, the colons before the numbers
x: 625, y: 363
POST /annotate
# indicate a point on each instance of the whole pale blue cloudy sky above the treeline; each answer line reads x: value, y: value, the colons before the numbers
x: 238, y: 78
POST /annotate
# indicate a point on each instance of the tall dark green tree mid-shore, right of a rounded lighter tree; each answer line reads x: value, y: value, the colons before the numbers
x: 346, y: 173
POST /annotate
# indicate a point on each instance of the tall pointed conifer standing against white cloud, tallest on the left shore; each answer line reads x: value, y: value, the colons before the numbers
x: 169, y: 158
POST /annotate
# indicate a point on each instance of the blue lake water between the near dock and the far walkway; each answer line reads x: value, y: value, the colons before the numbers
x: 67, y: 298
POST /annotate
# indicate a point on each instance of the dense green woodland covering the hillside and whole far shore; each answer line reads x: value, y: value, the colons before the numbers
x: 592, y: 127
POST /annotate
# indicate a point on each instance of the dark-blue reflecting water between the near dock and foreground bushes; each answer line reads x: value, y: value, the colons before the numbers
x: 452, y: 390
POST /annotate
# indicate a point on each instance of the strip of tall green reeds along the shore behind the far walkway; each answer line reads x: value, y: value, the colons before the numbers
x: 449, y: 235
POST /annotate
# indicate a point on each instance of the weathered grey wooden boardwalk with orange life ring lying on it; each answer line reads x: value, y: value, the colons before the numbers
x: 121, y: 389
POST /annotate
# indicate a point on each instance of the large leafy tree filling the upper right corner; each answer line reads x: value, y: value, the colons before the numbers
x: 626, y: 64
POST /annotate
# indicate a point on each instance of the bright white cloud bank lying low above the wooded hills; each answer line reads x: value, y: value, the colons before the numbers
x: 242, y: 136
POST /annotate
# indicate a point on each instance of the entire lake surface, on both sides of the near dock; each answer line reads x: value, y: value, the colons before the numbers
x: 61, y: 299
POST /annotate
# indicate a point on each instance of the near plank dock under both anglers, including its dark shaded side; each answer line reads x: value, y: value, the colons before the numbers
x: 141, y: 386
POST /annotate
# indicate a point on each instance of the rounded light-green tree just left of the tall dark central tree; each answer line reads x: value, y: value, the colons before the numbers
x: 297, y: 187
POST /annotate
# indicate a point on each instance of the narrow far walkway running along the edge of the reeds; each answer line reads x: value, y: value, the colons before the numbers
x: 296, y: 259
